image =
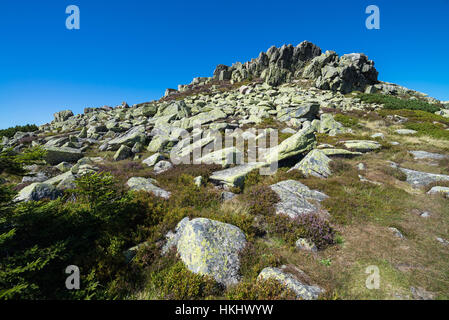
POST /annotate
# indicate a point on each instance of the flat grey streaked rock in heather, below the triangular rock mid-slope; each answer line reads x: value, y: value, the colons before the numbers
x: 296, y: 199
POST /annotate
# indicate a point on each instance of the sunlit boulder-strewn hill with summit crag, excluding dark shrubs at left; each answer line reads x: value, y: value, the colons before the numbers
x: 355, y: 160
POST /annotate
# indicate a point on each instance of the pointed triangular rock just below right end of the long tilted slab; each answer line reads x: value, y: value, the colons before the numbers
x: 315, y: 163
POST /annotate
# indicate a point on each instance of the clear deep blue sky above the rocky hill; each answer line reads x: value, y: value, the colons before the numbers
x: 132, y: 50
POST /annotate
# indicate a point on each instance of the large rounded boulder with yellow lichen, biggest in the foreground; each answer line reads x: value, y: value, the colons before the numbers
x: 212, y: 248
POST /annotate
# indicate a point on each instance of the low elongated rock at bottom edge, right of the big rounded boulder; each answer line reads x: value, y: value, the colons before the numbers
x: 289, y: 280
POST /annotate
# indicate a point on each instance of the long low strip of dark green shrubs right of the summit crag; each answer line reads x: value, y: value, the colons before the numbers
x: 395, y: 103
